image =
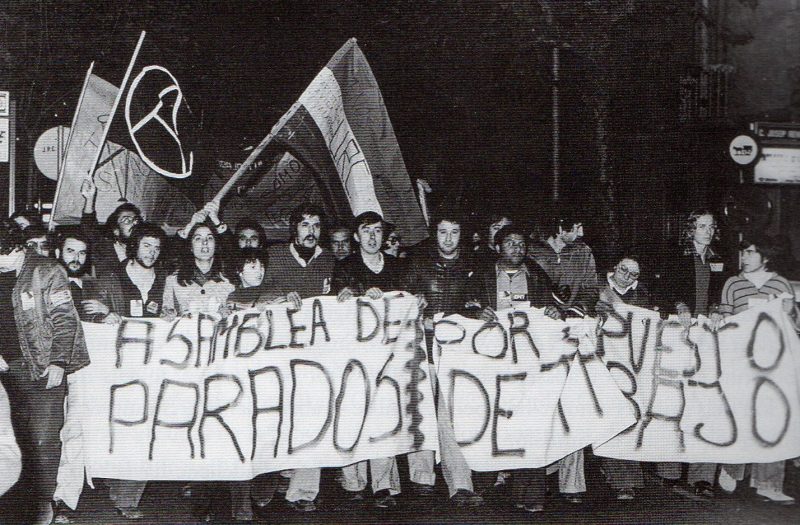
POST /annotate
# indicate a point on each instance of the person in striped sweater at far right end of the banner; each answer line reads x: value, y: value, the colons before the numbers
x: 755, y: 285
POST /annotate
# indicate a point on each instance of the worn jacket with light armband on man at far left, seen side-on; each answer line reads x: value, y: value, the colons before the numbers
x: 48, y: 325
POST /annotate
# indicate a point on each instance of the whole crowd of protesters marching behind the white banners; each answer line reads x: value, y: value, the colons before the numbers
x: 131, y: 268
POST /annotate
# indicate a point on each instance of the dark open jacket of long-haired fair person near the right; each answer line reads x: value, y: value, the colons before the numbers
x: 679, y: 283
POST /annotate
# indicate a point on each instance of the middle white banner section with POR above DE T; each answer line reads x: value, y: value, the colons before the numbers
x: 526, y: 390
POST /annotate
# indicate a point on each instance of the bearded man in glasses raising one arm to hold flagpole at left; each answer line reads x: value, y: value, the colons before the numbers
x: 109, y: 245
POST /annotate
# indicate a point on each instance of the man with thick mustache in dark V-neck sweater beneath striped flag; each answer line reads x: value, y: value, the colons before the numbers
x: 296, y: 271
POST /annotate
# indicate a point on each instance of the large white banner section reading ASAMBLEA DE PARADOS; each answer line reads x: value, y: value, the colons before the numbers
x: 207, y: 399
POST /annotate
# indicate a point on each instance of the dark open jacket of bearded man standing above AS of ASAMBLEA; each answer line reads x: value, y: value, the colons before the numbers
x: 118, y: 292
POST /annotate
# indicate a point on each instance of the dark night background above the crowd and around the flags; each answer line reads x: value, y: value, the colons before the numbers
x: 468, y: 86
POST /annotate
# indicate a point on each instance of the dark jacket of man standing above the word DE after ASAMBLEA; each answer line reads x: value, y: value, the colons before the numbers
x: 354, y: 274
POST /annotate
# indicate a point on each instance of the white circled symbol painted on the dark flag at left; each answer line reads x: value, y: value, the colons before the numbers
x: 171, y: 89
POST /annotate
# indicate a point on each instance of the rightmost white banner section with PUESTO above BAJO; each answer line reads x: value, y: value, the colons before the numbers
x: 731, y: 396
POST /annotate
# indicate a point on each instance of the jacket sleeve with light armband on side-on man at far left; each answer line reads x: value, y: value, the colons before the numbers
x: 61, y: 311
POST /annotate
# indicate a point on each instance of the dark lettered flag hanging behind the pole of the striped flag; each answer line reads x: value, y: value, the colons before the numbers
x: 268, y: 192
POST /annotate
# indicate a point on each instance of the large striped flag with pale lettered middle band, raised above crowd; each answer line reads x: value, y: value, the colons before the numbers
x: 340, y: 129
